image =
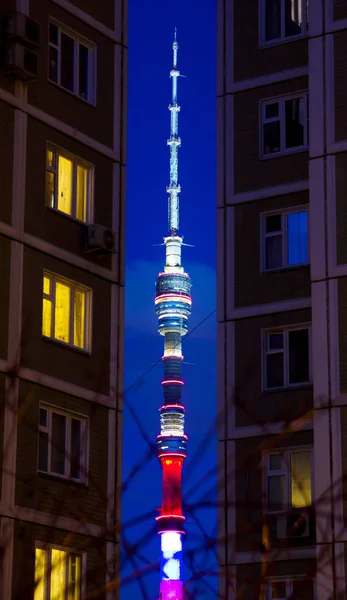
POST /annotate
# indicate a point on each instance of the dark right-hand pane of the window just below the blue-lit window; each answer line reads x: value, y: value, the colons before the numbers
x: 298, y: 356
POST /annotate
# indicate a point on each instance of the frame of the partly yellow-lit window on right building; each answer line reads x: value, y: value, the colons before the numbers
x: 287, y: 453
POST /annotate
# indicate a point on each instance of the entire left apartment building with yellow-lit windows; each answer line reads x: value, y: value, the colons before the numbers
x: 62, y: 220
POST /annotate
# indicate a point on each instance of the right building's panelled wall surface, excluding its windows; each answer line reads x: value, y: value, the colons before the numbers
x: 250, y: 300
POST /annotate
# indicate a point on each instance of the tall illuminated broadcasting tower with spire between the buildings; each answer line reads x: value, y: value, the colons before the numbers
x: 173, y: 306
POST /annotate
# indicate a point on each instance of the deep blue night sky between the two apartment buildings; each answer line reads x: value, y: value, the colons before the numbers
x: 151, y: 26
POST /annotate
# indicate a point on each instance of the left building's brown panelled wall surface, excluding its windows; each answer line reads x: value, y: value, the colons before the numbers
x: 37, y: 507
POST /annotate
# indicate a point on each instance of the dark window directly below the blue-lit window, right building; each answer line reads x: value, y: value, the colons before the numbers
x: 287, y: 358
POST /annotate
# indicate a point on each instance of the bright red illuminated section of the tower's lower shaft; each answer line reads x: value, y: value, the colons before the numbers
x: 172, y: 480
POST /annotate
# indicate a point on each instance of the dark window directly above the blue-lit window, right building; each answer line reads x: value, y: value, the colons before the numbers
x: 284, y: 125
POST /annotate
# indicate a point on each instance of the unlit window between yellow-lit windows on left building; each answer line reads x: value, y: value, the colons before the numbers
x: 62, y: 444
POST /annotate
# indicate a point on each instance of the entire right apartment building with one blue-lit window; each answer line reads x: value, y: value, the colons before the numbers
x: 282, y: 295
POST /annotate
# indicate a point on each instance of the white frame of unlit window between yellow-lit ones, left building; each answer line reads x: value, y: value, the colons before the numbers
x: 84, y: 464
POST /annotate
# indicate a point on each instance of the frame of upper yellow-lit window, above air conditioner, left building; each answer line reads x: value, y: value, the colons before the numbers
x: 76, y: 160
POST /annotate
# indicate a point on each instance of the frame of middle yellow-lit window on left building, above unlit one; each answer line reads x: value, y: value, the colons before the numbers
x: 88, y: 313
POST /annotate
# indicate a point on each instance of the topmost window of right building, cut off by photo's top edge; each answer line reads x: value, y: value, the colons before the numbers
x: 284, y: 19
